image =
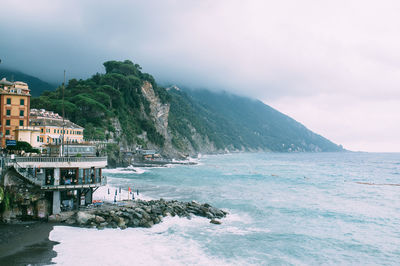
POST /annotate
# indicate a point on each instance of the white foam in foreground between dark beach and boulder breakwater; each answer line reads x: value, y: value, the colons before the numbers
x: 133, y: 246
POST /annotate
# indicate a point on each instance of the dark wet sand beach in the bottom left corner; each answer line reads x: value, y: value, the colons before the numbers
x: 26, y: 243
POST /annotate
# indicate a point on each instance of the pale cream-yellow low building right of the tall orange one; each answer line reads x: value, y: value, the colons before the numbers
x: 51, y: 128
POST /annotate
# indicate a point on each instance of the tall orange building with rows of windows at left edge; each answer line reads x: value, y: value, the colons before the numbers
x: 14, y: 108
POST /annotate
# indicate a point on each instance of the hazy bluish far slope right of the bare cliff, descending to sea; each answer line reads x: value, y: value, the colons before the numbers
x: 241, y: 123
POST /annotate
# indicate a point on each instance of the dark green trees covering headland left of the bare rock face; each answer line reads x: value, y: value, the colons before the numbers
x: 96, y: 103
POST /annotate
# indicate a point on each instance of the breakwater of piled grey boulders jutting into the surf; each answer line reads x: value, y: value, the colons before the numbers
x: 137, y: 213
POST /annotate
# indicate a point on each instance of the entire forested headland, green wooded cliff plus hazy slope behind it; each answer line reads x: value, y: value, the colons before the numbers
x: 126, y: 106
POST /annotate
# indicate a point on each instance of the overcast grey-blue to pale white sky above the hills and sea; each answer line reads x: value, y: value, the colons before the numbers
x: 334, y: 66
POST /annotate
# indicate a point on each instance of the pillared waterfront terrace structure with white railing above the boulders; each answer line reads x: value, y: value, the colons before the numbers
x: 68, y: 182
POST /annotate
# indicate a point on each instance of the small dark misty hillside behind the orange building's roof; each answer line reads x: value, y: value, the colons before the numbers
x: 36, y: 85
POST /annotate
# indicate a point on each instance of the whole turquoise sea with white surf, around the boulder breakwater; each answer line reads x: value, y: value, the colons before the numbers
x: 284, y: 209
